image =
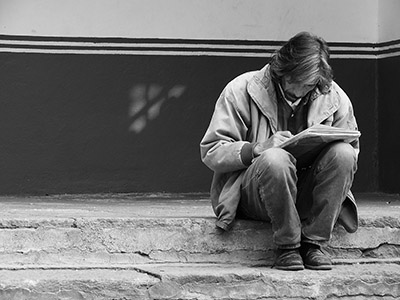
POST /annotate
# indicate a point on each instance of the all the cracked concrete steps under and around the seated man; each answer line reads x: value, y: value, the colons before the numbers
x: 165, y: 246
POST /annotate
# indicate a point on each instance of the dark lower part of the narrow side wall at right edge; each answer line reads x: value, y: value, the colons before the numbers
x: 389, y: 124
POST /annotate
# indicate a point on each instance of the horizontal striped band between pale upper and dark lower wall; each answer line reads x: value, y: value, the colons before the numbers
x: 181, y: 47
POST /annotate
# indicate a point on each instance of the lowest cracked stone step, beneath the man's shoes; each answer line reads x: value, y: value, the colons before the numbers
x: 187, y: 281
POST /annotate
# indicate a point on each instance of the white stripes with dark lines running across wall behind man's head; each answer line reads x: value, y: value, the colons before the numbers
x: 183, y: 49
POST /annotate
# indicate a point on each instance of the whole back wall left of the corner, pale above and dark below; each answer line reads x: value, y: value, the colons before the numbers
x: 97, y: 98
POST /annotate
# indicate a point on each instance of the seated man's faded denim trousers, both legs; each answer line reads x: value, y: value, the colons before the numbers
x: 302, y: 205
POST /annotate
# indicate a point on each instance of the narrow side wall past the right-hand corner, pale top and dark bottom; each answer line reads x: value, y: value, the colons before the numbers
x: 389, y: 104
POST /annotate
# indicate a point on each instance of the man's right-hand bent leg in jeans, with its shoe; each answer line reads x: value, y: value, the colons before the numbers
x: 321, y: 192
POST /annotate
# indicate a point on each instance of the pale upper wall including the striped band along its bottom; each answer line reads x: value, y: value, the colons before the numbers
x: 354, y: 28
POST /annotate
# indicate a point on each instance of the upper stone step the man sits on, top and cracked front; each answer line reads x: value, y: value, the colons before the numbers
x: 76, y: 230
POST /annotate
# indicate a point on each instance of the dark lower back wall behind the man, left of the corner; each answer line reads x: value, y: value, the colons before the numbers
x: 111, y: 123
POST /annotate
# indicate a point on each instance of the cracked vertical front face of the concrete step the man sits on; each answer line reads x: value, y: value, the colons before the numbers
x: 172, y: 240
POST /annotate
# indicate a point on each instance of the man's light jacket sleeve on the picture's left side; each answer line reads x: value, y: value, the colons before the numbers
x: 224, y: 147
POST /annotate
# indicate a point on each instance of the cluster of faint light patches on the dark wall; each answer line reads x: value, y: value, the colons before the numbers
x: 146, y: 102
